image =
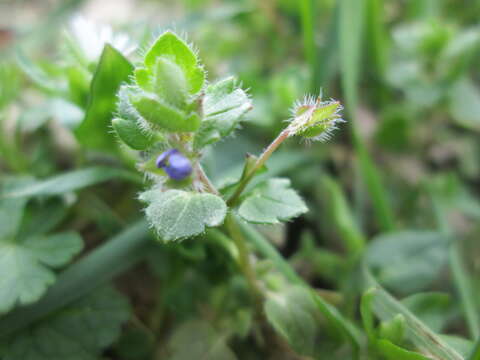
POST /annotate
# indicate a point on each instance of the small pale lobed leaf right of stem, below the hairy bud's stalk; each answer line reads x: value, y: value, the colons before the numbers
x: 271, y: 202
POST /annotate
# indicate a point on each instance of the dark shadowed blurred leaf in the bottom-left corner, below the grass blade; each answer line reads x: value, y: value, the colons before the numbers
x: 79, y: 331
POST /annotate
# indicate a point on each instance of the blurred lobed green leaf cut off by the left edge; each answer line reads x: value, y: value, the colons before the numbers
x: 26, y: 266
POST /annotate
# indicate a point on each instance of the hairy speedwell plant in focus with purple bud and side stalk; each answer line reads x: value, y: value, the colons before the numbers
x: 170, y: 114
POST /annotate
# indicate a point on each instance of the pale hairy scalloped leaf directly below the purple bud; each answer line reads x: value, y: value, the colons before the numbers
x: 177, y: 214
